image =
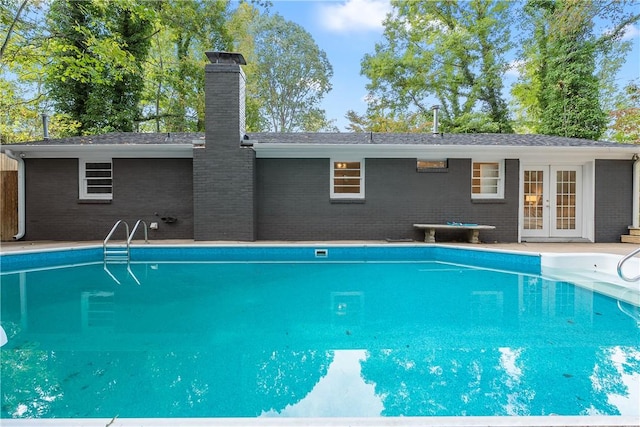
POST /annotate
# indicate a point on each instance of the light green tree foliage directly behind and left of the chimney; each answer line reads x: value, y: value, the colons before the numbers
x: 174, y: 96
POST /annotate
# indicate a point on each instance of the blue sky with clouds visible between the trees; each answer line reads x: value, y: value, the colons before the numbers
x: 347, y: 30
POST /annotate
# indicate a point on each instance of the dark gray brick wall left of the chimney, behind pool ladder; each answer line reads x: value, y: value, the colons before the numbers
x: 142, y: 188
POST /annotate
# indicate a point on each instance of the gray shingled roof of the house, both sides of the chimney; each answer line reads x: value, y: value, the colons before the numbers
x: 508, y: 140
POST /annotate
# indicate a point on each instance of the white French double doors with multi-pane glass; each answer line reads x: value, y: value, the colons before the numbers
x: 552, y: 201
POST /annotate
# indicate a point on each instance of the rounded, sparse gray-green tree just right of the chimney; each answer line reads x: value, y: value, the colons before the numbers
x: 292, y: 75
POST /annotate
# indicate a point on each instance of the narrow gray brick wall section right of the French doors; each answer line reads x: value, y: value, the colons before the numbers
x: 613, y: 199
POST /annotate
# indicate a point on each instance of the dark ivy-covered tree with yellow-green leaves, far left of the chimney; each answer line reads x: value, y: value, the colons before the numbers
x: 95, y: 76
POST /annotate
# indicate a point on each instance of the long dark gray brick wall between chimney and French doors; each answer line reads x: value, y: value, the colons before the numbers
x: 293, y: 201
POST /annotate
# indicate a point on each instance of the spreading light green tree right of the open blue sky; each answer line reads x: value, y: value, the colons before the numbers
x: 449, y: 51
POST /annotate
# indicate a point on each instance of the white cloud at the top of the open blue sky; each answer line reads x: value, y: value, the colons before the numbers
x: 354, y: 15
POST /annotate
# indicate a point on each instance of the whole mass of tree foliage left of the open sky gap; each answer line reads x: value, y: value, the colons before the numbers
x: 122, y: 65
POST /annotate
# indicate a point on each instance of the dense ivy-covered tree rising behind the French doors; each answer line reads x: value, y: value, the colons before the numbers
x: 560, y: 86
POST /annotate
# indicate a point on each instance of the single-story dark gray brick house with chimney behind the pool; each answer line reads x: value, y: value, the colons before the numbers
x: 229, y: 185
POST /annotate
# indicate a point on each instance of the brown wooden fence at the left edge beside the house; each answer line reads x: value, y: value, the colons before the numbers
x: 8, y: 198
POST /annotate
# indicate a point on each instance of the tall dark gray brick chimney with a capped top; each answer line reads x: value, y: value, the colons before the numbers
x: 224, y: 168
